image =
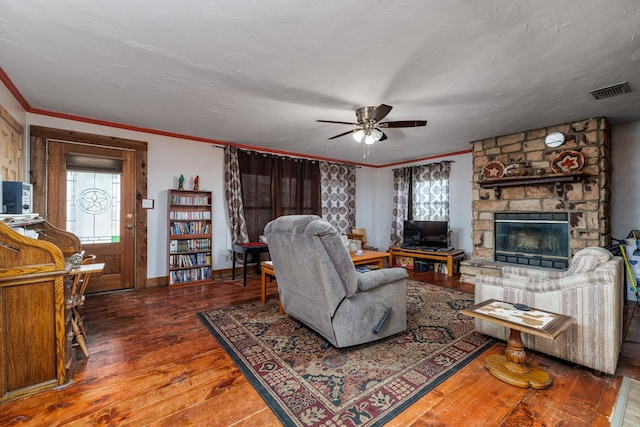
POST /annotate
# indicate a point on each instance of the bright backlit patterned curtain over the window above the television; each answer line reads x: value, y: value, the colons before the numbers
x: 430, y: 192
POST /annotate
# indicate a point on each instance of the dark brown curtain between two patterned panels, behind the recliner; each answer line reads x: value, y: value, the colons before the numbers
x: 273, y: 186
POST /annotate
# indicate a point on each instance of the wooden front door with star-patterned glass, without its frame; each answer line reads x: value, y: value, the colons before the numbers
x: 91, y: 193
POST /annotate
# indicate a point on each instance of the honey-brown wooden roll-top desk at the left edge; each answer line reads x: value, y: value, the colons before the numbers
x: 35, y: 352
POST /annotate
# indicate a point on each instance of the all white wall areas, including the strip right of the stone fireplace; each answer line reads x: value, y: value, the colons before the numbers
x: 170, y: 157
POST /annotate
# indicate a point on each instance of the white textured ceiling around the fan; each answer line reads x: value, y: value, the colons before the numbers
x: 259, y: 73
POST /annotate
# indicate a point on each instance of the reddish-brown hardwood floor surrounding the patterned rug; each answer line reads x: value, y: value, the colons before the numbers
x: 153, y: 363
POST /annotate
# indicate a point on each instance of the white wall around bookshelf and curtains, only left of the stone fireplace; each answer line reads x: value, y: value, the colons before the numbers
x: 170, y: 157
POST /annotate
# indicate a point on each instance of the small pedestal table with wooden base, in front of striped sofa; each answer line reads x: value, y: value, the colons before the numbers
x: 511, y: 367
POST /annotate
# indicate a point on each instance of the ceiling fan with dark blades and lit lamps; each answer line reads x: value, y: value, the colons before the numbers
x: 368, y: 128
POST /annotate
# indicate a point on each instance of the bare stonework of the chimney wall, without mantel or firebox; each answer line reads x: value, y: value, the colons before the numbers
x: 587, y: 201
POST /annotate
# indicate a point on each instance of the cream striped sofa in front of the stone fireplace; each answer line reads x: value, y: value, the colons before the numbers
x: 591, y: 291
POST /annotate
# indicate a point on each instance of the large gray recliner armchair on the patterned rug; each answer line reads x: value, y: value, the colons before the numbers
x: 320, y: 287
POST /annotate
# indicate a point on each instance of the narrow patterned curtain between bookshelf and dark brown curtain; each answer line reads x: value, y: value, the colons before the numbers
x: 233, y: 196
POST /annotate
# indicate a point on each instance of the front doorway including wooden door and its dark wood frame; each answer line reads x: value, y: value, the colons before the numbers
x: 93, y: 190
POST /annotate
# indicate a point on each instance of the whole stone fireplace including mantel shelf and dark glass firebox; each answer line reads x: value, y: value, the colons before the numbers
x: 579, y: 198
